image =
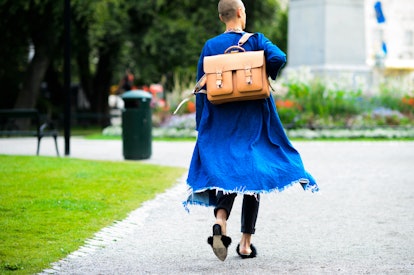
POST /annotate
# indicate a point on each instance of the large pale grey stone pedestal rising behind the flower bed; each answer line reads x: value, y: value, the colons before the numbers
x: 328, y: 37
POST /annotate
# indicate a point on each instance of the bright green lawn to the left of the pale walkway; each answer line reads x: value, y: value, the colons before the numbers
x: 50, y: 206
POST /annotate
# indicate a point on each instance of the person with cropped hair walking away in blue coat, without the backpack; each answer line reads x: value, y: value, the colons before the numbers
x: 241, y: 147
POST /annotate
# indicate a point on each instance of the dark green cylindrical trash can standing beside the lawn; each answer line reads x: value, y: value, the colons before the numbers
x: 137, y: 125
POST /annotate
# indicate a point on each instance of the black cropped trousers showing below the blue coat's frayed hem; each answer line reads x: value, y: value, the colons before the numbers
x: 250, y: 209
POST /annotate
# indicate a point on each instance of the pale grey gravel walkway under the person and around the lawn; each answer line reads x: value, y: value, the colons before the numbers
x: 361, y: 222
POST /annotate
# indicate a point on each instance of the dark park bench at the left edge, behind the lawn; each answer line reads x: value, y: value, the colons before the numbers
x: 26, y: 122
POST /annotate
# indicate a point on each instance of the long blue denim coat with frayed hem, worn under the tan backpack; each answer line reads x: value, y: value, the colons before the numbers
x: 242, y: 146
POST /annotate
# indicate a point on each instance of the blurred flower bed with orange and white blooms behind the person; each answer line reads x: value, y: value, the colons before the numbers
x: 312, y: 110
